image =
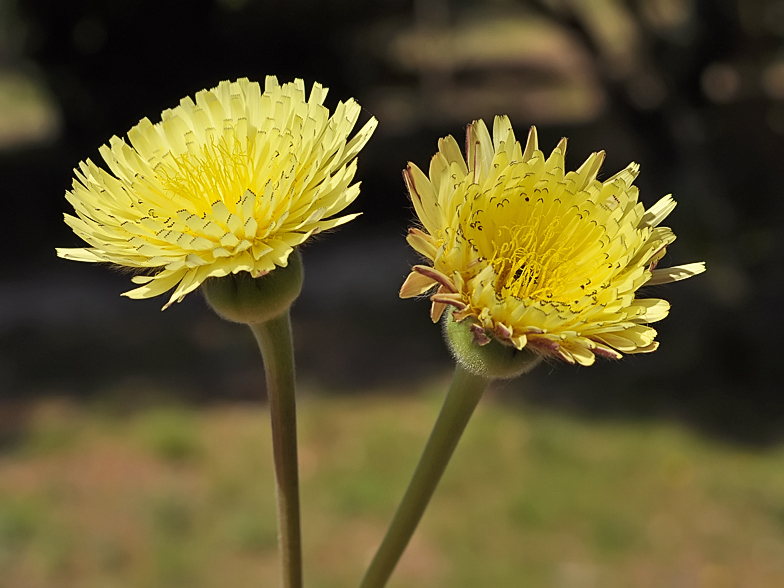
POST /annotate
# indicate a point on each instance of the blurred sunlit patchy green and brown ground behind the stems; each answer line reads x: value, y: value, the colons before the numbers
x: 169, y: 497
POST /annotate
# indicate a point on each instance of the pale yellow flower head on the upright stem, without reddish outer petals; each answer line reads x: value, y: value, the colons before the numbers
x: 230, y: 182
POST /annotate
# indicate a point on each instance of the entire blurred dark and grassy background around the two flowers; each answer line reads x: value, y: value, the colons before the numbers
x: 116, y: 420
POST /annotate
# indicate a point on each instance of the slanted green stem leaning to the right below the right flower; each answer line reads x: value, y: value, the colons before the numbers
x: 461, y: 400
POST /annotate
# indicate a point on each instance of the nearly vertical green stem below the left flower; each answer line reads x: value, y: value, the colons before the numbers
x: 277, y: 350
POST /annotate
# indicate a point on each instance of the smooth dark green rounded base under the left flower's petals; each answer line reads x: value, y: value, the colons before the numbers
x: 241, y: 298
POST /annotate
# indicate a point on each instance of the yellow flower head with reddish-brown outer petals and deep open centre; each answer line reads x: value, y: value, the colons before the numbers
x: 536, y: 257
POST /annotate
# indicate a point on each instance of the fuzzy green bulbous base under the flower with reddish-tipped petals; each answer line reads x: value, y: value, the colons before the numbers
x: 492, y: 360
